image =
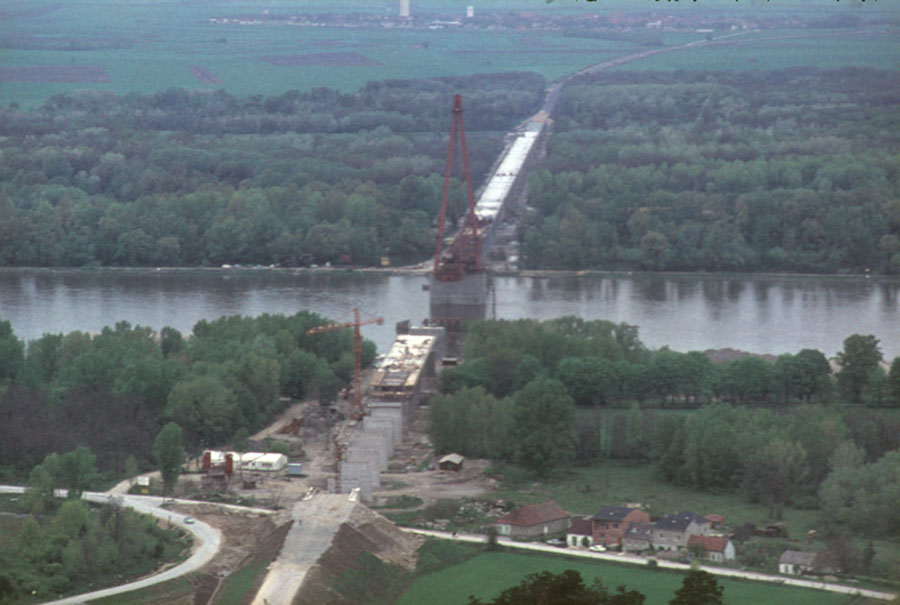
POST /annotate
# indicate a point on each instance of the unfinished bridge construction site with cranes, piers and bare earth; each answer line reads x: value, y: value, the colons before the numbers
x: 370, y: 446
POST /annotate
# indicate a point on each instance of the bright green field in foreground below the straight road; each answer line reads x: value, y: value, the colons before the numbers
x: 488, y: 574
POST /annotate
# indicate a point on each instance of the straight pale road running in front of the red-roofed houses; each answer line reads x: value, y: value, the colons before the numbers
x: 634, y: 560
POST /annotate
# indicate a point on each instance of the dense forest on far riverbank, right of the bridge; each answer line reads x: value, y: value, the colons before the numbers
x: 794, y: 170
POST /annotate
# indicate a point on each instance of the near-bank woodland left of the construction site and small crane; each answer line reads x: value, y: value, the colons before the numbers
x: 113, y: 392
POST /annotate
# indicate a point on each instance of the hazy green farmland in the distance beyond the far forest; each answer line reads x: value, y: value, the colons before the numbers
x: 147, y: 47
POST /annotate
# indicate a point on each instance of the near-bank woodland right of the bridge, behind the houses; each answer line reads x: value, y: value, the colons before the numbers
x: 543, y: 396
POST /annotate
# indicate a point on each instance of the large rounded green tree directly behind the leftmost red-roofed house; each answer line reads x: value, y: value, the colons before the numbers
x: 543, y: 422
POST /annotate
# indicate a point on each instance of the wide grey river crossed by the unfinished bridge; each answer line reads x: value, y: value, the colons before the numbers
x: 757, y: 313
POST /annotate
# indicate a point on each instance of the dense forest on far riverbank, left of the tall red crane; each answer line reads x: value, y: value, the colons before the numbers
x: 199, y: 178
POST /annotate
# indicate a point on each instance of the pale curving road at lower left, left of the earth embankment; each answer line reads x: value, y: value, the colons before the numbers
x: 209, y: 537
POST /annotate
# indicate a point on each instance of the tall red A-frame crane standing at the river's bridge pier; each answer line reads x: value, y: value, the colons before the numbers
x: 464, y: 254
